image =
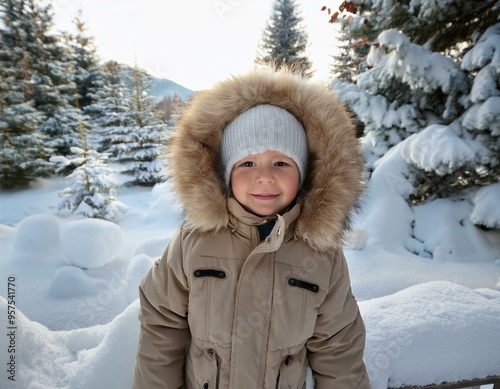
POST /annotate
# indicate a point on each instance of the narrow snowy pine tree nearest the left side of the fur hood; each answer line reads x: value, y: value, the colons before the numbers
x: 142, y: 143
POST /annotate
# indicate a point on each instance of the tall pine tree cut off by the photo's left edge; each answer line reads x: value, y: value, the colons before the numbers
x: 22, y: 154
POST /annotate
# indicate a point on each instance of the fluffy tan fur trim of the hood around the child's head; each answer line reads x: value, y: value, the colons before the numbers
x: 333, y: 182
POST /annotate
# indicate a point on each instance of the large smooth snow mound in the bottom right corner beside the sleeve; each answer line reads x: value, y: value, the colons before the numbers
x: 420, y: 335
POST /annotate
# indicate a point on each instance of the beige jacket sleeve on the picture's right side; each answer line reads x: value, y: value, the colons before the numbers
x: 335, y: 351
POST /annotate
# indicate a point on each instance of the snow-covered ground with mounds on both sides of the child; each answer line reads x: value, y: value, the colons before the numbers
x: 427, y: 281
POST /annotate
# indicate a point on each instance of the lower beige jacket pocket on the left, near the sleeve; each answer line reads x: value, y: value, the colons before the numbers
x: 202, y: 367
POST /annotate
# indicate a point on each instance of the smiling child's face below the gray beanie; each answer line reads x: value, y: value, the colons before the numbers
x: 265, y: 183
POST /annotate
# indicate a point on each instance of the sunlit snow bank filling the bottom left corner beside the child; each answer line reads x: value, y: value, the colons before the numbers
x: 45, y: 359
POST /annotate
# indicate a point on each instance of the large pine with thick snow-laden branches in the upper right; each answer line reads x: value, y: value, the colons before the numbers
x: 431, y: 94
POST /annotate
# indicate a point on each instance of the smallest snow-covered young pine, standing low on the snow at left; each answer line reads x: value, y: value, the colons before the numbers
x: 92, y: 190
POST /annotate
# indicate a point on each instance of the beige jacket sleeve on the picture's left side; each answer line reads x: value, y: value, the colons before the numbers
x: 164, y: 330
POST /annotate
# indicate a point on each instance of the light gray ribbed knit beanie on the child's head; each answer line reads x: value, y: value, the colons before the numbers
x: 261, y: 128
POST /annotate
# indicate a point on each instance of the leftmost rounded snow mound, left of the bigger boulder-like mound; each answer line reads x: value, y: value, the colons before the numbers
x: 37, y: 239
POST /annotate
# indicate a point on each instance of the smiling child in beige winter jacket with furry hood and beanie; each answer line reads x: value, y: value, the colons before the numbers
x: 254, y: 288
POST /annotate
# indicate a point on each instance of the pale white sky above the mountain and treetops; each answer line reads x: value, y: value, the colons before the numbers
x: 192, y: 42
